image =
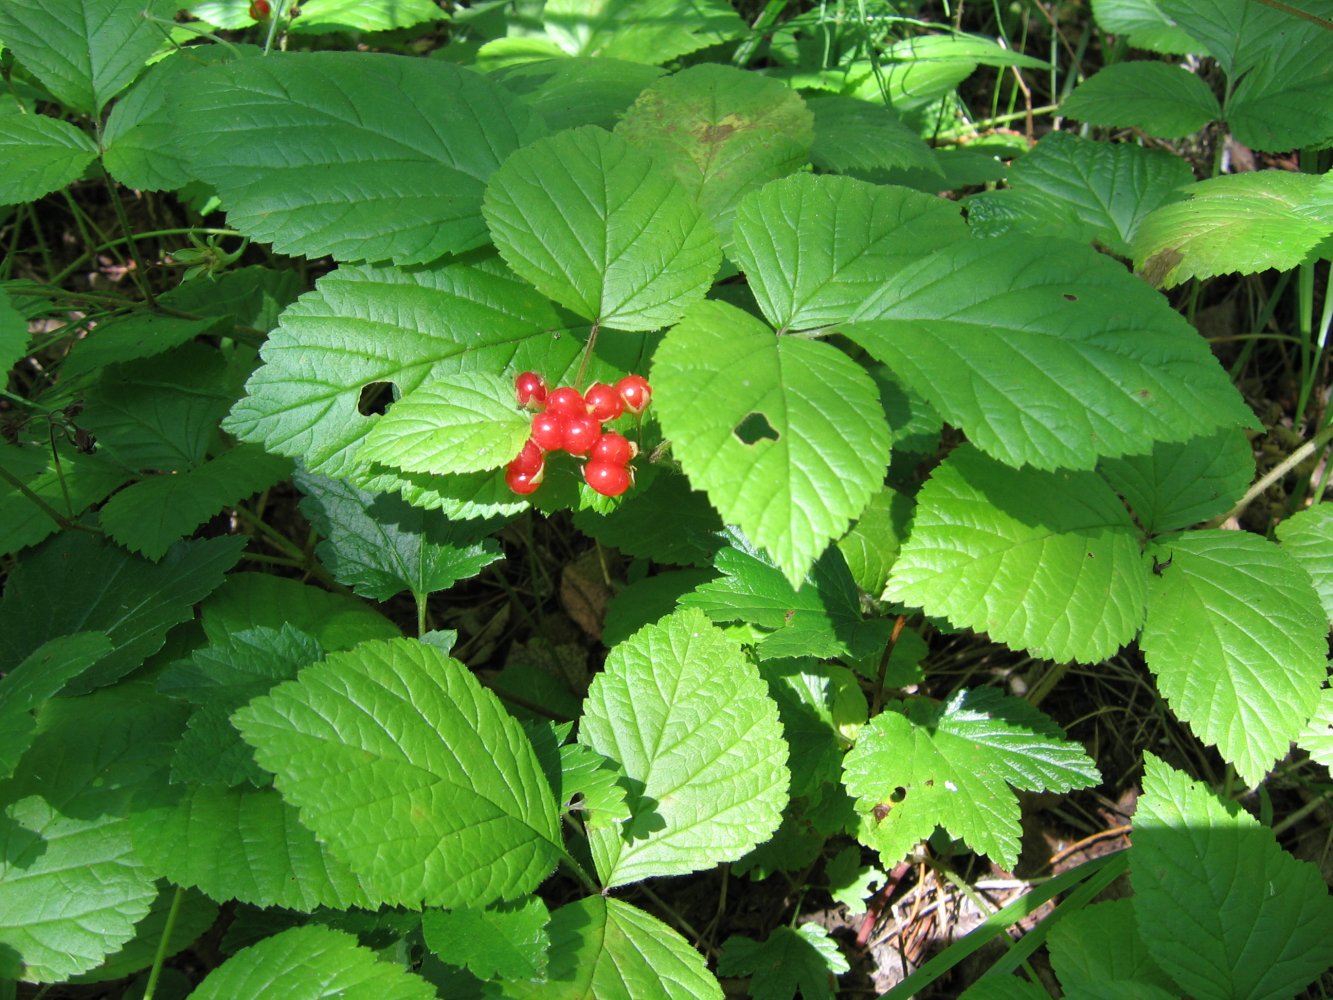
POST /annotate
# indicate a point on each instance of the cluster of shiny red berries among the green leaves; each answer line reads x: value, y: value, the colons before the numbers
x: 569, y: 421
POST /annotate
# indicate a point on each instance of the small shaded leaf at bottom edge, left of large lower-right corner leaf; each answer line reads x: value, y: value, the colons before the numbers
x: 1100, y: 946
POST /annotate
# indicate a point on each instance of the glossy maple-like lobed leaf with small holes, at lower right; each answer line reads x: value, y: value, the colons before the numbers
x: 923, y: 763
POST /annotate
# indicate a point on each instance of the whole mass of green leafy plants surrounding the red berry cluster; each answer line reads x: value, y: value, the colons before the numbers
x: 876, y: 413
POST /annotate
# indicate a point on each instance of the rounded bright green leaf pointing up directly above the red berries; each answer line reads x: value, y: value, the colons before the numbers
x: 601, y: 229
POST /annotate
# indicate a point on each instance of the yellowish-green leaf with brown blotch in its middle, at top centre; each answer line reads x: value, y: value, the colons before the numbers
x: 723, y: 133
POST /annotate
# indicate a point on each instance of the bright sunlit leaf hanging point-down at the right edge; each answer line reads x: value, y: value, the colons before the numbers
x: 1238, y: 639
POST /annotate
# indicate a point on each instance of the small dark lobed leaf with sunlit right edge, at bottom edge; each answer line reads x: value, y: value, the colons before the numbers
x: 803, y: 961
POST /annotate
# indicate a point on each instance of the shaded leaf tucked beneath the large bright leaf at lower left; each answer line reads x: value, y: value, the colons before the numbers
x: 245, y: 845
